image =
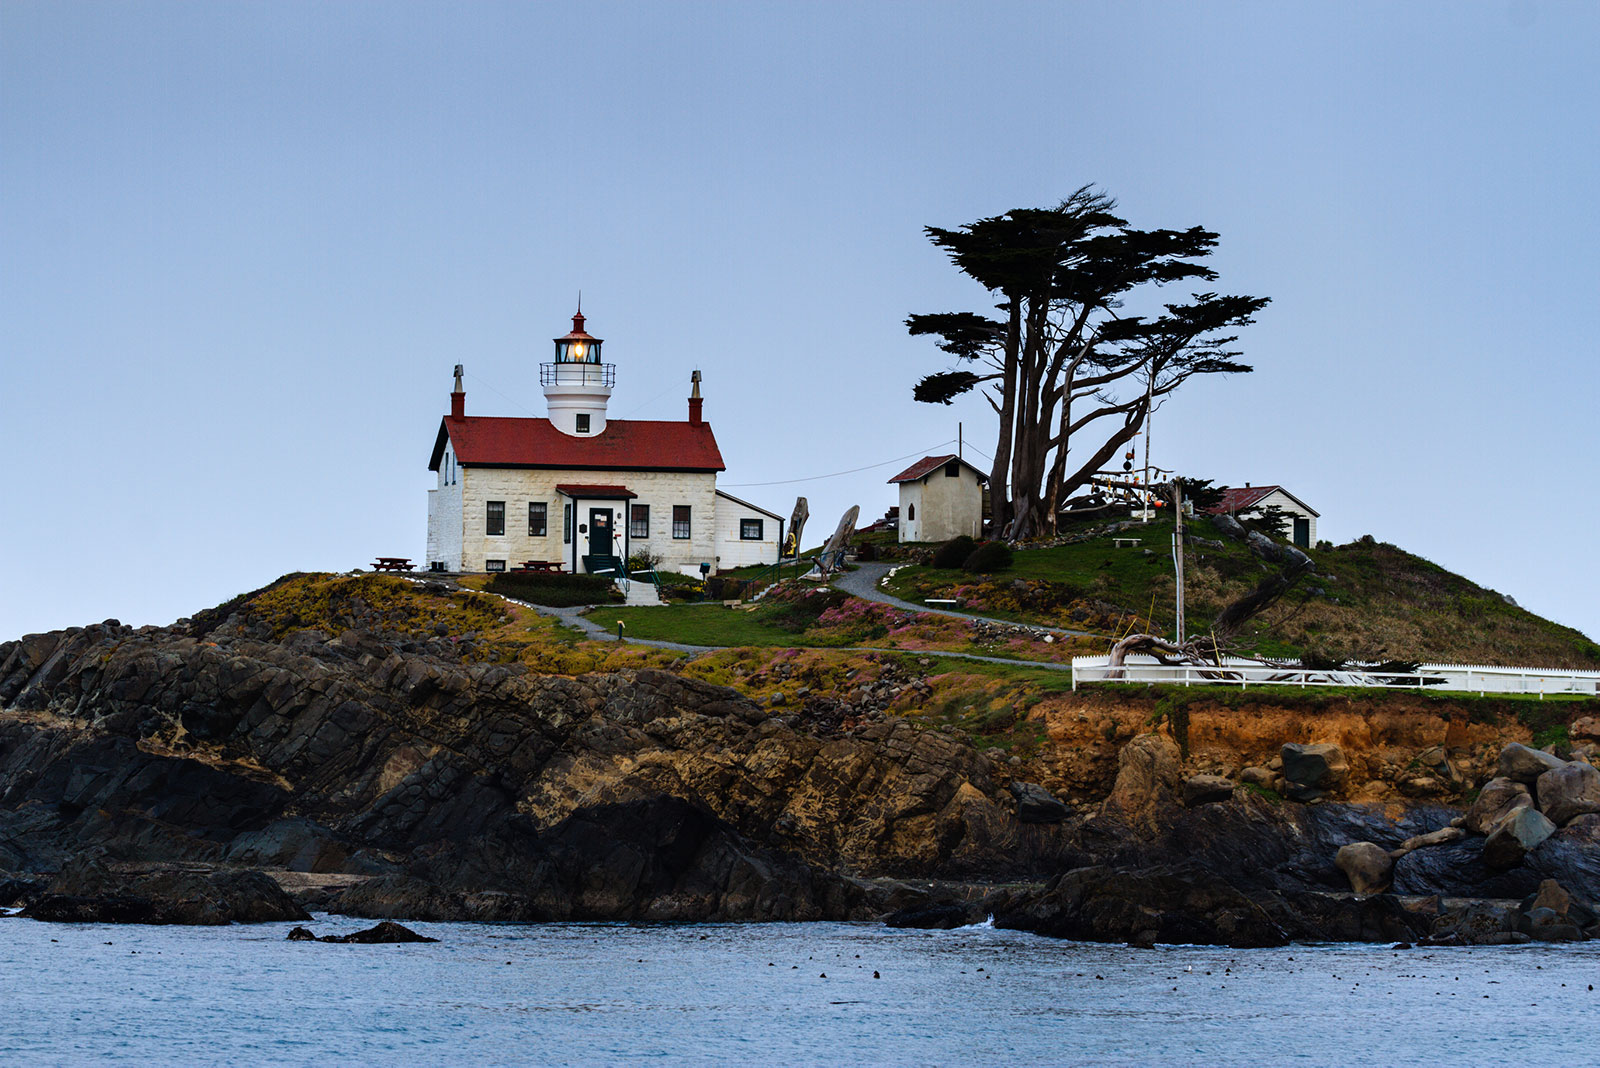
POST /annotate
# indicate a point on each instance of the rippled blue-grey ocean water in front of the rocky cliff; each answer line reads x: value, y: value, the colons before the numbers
x: 758, y: 995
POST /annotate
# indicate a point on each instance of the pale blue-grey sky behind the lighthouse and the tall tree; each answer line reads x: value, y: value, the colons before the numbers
x: 242, y: 247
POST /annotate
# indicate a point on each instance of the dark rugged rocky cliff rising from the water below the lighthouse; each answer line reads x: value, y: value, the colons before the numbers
x: 398, y: 771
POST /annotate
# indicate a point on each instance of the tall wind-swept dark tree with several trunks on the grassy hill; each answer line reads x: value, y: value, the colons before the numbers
x: 1070, y: 365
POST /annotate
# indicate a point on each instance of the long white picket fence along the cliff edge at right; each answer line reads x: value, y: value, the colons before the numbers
x: 1481, y: 679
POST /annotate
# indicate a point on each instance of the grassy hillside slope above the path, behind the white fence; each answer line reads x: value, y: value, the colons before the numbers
x: 1366, y: 600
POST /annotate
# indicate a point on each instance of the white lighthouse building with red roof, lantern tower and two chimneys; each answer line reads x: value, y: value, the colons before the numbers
x: 583, y: 490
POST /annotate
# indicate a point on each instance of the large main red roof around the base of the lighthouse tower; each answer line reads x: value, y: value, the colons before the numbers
x: 626, y: 445
